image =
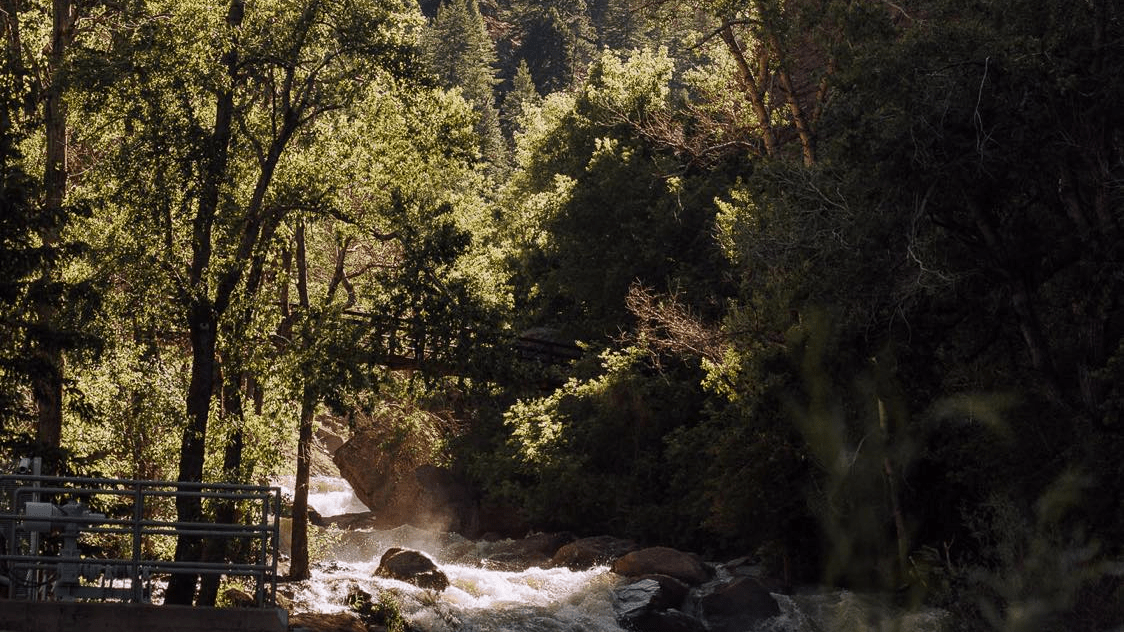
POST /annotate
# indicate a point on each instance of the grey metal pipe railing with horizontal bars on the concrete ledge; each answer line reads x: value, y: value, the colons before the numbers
x: 22, y: 558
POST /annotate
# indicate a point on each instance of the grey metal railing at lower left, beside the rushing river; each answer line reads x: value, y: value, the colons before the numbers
x: 49, y: 527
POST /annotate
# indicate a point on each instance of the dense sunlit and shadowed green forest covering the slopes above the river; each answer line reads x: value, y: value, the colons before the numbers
x: 839, y: 283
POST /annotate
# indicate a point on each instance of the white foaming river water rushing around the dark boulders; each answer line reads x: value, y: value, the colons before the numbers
x: 558, y: 600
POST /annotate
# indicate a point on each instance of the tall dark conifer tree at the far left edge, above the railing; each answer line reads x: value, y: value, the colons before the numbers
x: 37, y: 214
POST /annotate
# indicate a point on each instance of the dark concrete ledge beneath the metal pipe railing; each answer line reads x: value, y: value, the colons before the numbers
x: 71, y: 617
